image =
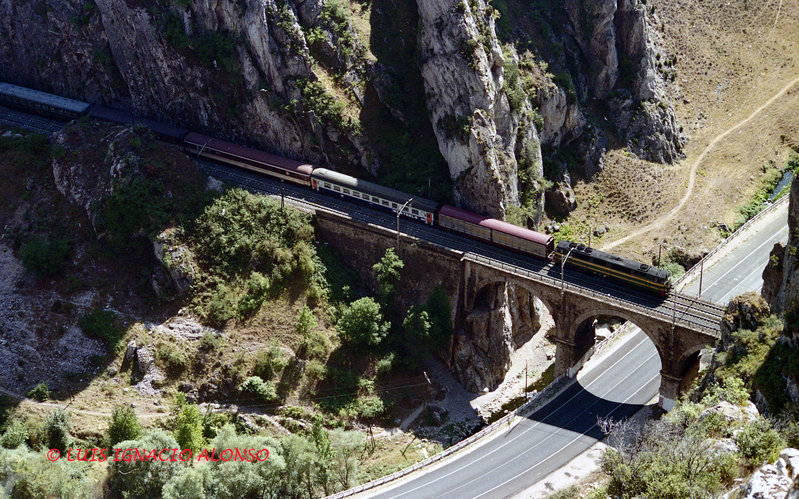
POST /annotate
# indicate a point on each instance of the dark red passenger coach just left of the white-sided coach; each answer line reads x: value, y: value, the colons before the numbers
x: 252, y: 159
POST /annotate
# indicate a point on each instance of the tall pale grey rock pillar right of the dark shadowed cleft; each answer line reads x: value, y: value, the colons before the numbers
x: 463, y: 70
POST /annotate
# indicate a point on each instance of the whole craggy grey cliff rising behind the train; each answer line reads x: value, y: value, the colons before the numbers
x: 367, y: 87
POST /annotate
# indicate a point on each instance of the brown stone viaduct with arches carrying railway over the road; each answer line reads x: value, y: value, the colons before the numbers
x: 467, y: 276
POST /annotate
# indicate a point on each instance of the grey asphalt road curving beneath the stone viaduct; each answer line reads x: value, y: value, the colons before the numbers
x: 626, y: 379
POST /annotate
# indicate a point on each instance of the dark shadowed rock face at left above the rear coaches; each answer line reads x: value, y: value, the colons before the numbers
x: 119, y: 52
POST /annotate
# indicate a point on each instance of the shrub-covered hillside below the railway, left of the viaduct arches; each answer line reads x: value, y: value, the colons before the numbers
x: 305, y: 359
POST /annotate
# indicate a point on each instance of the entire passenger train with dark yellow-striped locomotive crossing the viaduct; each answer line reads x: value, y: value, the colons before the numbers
x: 426, y: 211
